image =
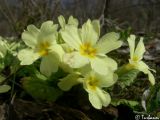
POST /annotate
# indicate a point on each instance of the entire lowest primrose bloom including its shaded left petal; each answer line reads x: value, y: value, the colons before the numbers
x: 93, y: 84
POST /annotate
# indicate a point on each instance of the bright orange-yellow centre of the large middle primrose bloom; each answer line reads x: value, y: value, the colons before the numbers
x: 87, y: 50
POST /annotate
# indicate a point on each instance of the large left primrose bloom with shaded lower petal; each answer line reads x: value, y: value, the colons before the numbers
x: 42, y: 44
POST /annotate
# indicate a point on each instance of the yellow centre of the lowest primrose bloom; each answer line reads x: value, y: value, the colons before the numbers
x: 92, y: 82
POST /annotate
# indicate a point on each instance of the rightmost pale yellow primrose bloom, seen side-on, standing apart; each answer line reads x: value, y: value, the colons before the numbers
x: 136, y: 56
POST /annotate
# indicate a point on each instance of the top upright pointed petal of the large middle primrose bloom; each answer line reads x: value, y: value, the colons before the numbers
x: 88, y: 33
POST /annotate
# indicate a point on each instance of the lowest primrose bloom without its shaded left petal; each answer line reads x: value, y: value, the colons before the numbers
x: 93, y: 84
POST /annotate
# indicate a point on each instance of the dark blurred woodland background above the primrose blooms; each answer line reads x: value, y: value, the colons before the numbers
x: 143, y: 16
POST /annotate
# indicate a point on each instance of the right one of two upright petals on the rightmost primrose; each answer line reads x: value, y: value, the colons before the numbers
x: 140, y: 49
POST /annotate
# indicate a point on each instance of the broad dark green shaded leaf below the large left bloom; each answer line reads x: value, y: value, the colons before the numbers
x: 40, y: 89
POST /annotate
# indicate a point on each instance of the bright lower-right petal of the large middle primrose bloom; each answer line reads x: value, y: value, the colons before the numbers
x: 99, y: 65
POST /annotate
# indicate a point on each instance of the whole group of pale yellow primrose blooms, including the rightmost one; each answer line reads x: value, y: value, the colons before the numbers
x: 82, y: 53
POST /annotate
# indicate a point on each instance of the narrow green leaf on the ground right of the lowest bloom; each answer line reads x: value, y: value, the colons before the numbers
x: 131, y: 103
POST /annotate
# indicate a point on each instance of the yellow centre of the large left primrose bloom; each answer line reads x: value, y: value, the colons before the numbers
x: 43, y: 48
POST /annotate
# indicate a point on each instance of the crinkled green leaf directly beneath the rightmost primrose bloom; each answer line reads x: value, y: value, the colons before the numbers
x: 126, y: 76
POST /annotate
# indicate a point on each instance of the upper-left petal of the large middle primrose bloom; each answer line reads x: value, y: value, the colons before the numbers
x: 71, y: 36
